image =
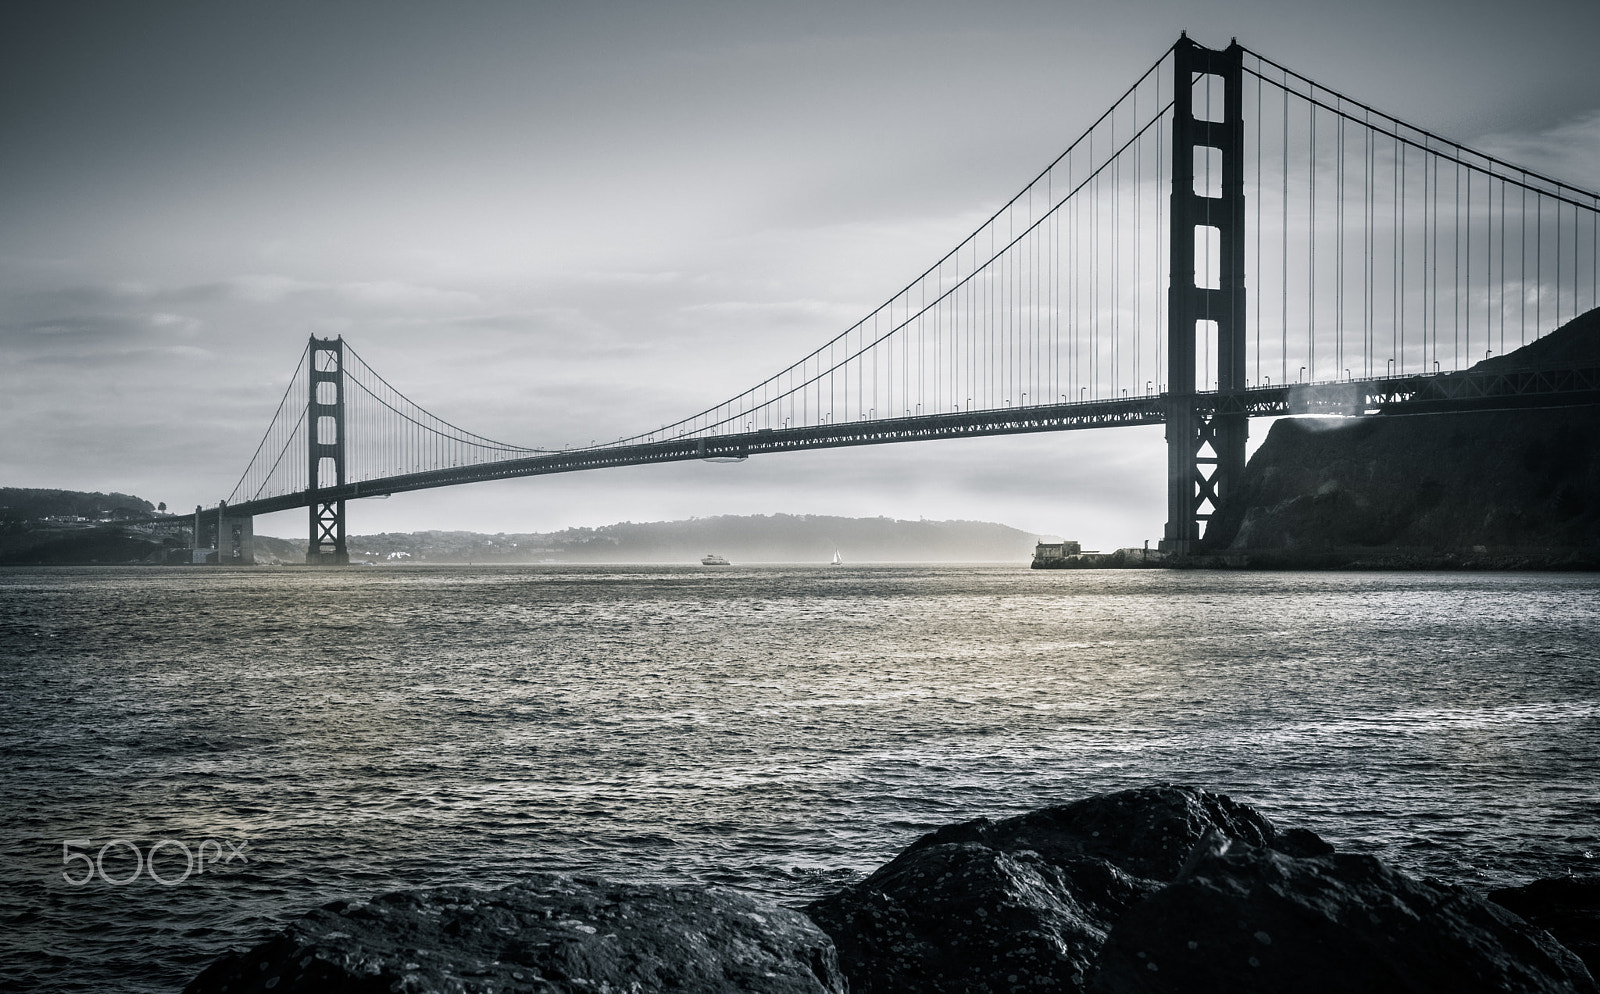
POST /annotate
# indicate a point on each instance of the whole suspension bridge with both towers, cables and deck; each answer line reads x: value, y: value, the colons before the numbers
x: 1383, y: 265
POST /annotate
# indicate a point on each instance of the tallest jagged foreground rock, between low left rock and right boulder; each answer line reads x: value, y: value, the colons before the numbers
x: 1026, y: 904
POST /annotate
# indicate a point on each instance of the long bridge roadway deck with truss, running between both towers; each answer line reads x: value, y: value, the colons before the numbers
x: 1438, y: 393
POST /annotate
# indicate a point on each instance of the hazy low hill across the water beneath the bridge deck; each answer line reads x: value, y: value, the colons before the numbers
x: 740, y: 539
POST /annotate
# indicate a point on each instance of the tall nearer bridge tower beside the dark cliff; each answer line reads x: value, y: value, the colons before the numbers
x: 1206, y: 455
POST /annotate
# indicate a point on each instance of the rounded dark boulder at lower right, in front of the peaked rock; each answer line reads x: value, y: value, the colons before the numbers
x: 1252, y: 920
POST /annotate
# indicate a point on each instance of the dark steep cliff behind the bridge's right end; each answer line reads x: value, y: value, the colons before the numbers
x: 1506, y: 487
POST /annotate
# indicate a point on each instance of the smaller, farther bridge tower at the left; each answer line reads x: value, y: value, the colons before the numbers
x: 326, y: 449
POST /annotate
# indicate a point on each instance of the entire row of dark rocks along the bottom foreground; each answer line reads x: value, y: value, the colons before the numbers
x: 1153, y: 889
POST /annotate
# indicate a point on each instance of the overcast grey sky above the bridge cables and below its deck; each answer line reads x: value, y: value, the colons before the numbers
x: 566, y: 222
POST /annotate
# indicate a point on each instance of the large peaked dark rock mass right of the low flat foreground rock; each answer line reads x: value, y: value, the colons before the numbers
x: 1174, y: 889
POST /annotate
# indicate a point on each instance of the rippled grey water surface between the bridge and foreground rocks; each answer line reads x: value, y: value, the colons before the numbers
x: 778, y: 729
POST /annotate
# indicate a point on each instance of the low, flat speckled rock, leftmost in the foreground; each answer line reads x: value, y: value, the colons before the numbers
x: 550, y: 934
